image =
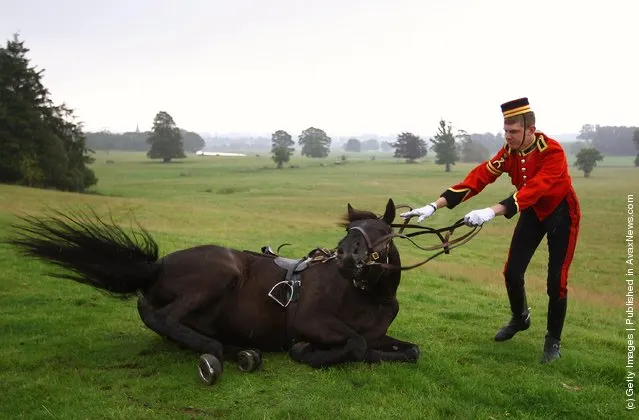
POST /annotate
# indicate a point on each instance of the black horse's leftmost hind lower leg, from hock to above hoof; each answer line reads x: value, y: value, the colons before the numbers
x: 167, y: 326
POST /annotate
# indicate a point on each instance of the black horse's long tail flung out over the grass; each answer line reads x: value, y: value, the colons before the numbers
x: 93, y: 252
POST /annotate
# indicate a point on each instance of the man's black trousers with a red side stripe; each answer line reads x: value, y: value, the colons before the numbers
x: 561, y: 229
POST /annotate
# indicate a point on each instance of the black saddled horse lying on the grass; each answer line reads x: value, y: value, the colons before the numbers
x: 330, y: 307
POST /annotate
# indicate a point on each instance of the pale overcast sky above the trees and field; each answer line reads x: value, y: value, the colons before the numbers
x: 345, y: 66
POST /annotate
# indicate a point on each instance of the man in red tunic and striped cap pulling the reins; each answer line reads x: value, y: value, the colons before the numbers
x: 548, y: 206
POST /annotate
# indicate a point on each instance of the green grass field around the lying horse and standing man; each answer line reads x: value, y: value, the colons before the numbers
x: 68, y: 351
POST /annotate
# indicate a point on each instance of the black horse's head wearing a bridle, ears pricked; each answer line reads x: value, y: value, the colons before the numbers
x: 367, y: 244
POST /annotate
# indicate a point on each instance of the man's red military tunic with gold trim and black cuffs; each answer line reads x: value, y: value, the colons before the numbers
x: 540, y: 174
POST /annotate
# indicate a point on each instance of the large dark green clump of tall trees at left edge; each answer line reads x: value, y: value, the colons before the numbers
x: 40, y: 144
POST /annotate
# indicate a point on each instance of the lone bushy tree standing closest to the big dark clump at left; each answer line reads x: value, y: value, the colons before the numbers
x: 166, y: 139
